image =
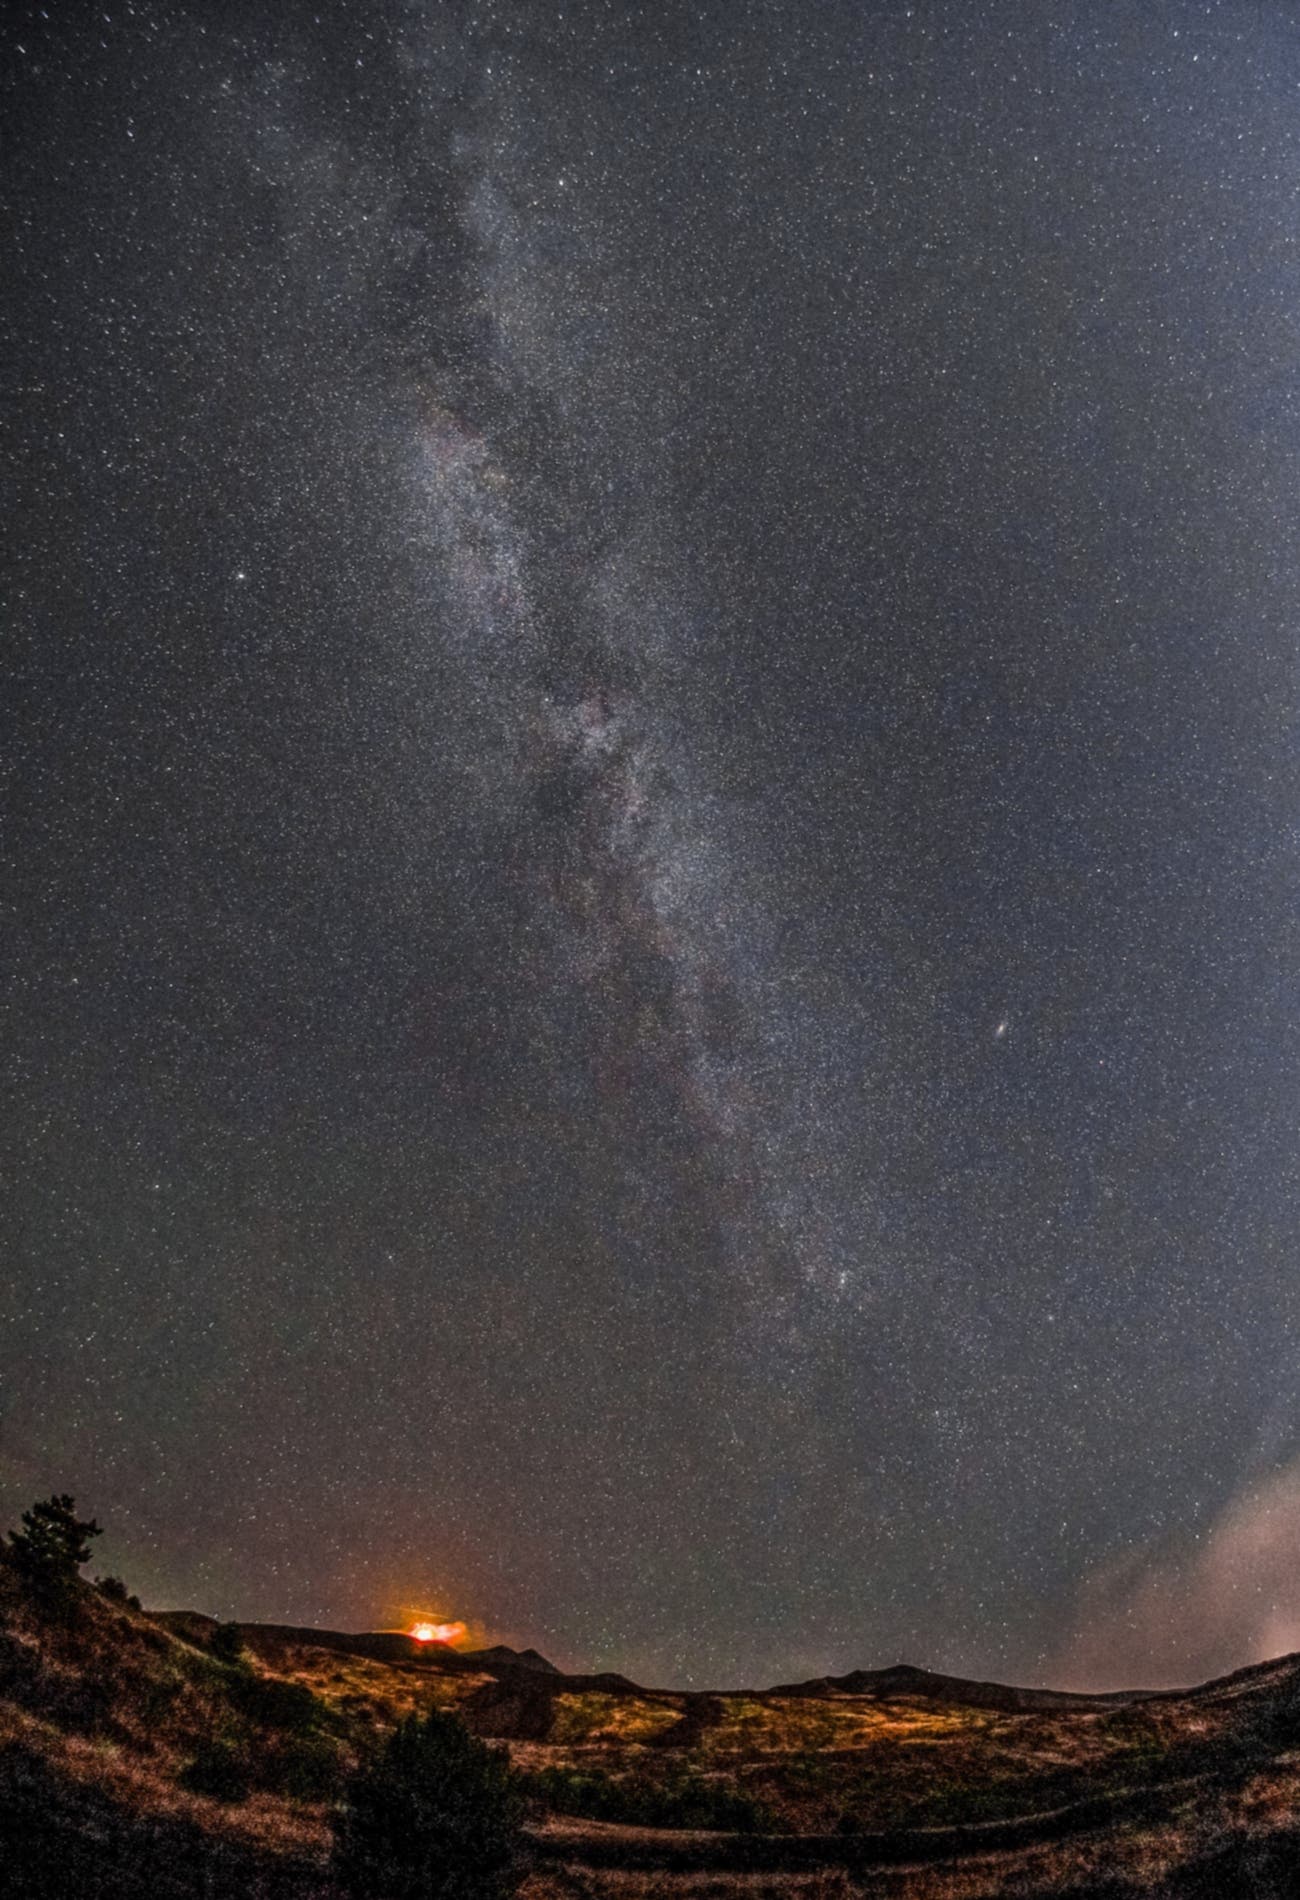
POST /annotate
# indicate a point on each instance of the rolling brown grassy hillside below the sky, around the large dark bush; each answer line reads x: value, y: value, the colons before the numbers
x: 136, y: 1760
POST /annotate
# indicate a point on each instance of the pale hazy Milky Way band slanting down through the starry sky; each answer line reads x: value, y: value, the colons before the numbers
x: 643, y: 873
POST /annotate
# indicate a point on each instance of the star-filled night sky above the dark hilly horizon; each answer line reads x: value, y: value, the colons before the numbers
x: 651, y: 822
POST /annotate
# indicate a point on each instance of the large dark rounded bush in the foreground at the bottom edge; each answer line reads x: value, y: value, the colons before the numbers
x: 438, y: 1815
